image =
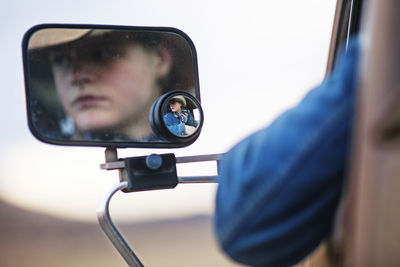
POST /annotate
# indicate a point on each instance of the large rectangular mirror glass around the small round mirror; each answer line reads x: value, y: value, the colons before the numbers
x: 95, y: 85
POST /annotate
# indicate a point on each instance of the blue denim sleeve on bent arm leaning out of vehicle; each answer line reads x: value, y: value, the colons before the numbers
x: 279, y: 188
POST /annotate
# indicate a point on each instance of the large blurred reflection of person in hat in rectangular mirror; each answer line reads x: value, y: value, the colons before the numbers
x: 107, y: 80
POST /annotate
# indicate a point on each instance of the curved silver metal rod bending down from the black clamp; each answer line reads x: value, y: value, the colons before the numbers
x: 111, y: 230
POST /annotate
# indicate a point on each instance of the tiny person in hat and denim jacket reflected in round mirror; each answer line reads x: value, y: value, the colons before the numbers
x: 179, y: 120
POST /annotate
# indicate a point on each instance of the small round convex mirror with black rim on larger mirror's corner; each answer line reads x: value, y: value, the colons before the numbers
x: 177, y: 116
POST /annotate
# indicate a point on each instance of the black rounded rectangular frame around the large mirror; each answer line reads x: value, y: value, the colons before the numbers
x: 114, y: 144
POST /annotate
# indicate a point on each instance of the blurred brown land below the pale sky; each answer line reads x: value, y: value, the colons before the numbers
x: 34, y: 239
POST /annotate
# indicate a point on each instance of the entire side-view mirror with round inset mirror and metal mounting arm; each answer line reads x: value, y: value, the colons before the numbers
x: 117, y: 86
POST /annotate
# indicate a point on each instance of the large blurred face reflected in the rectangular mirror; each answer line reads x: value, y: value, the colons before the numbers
x: 112, y: 94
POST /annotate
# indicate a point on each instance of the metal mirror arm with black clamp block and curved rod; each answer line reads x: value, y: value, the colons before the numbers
x: 151, y: 162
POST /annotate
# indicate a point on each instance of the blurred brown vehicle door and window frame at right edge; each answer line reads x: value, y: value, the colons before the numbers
x: 367, y: 231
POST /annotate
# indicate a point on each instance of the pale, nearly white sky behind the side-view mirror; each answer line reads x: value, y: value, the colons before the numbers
x: 256, y: 58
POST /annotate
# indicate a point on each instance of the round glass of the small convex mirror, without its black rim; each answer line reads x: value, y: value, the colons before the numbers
x: 182, y: 117
